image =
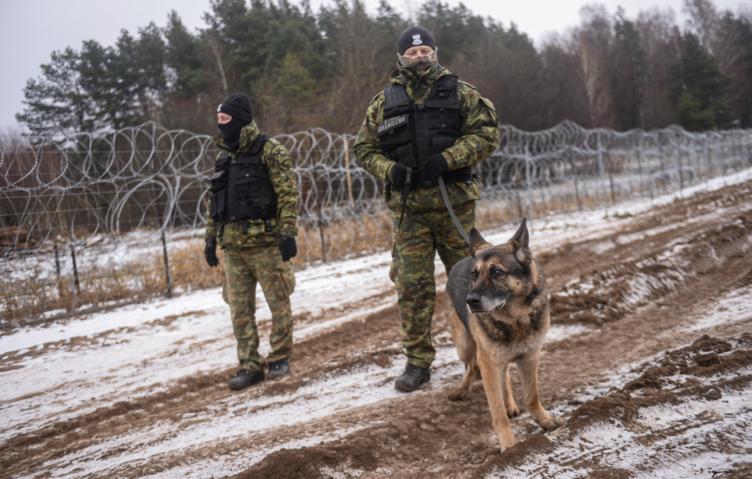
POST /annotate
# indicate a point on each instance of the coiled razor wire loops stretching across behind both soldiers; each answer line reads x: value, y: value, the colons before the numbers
x: 147, y: 177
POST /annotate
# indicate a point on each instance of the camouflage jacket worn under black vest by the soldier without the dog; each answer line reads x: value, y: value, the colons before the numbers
x: 250, y: 233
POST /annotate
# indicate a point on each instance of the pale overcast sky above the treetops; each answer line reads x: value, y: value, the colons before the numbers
x: 31, y: 29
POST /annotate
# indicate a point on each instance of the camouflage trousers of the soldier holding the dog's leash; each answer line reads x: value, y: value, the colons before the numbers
x: 412, y: 271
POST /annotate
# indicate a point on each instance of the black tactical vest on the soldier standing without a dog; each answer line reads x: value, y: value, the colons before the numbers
x: 241, y: 188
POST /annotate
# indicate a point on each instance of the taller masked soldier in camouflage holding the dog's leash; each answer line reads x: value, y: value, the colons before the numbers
x: 424, y: 125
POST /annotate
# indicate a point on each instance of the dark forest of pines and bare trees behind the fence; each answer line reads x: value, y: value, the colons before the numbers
x: 305, y: 69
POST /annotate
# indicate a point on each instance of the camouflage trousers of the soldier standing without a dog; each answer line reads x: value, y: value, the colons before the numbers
x: 244, y: 267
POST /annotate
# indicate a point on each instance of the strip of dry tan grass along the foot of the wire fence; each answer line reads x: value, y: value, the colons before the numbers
x: 26, y: 300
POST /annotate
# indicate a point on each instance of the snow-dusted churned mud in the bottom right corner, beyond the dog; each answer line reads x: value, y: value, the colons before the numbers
x: 634, y: 430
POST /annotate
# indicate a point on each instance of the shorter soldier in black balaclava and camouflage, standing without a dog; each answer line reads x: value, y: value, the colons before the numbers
x: 252, y: 213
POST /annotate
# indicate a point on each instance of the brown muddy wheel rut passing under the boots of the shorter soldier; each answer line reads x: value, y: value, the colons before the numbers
x: 195, y: 393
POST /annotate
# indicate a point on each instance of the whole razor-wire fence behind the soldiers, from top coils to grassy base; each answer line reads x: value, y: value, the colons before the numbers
x: 103, y: 201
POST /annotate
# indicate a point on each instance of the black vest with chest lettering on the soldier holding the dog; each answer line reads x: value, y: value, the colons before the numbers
x: 411, y: 133
